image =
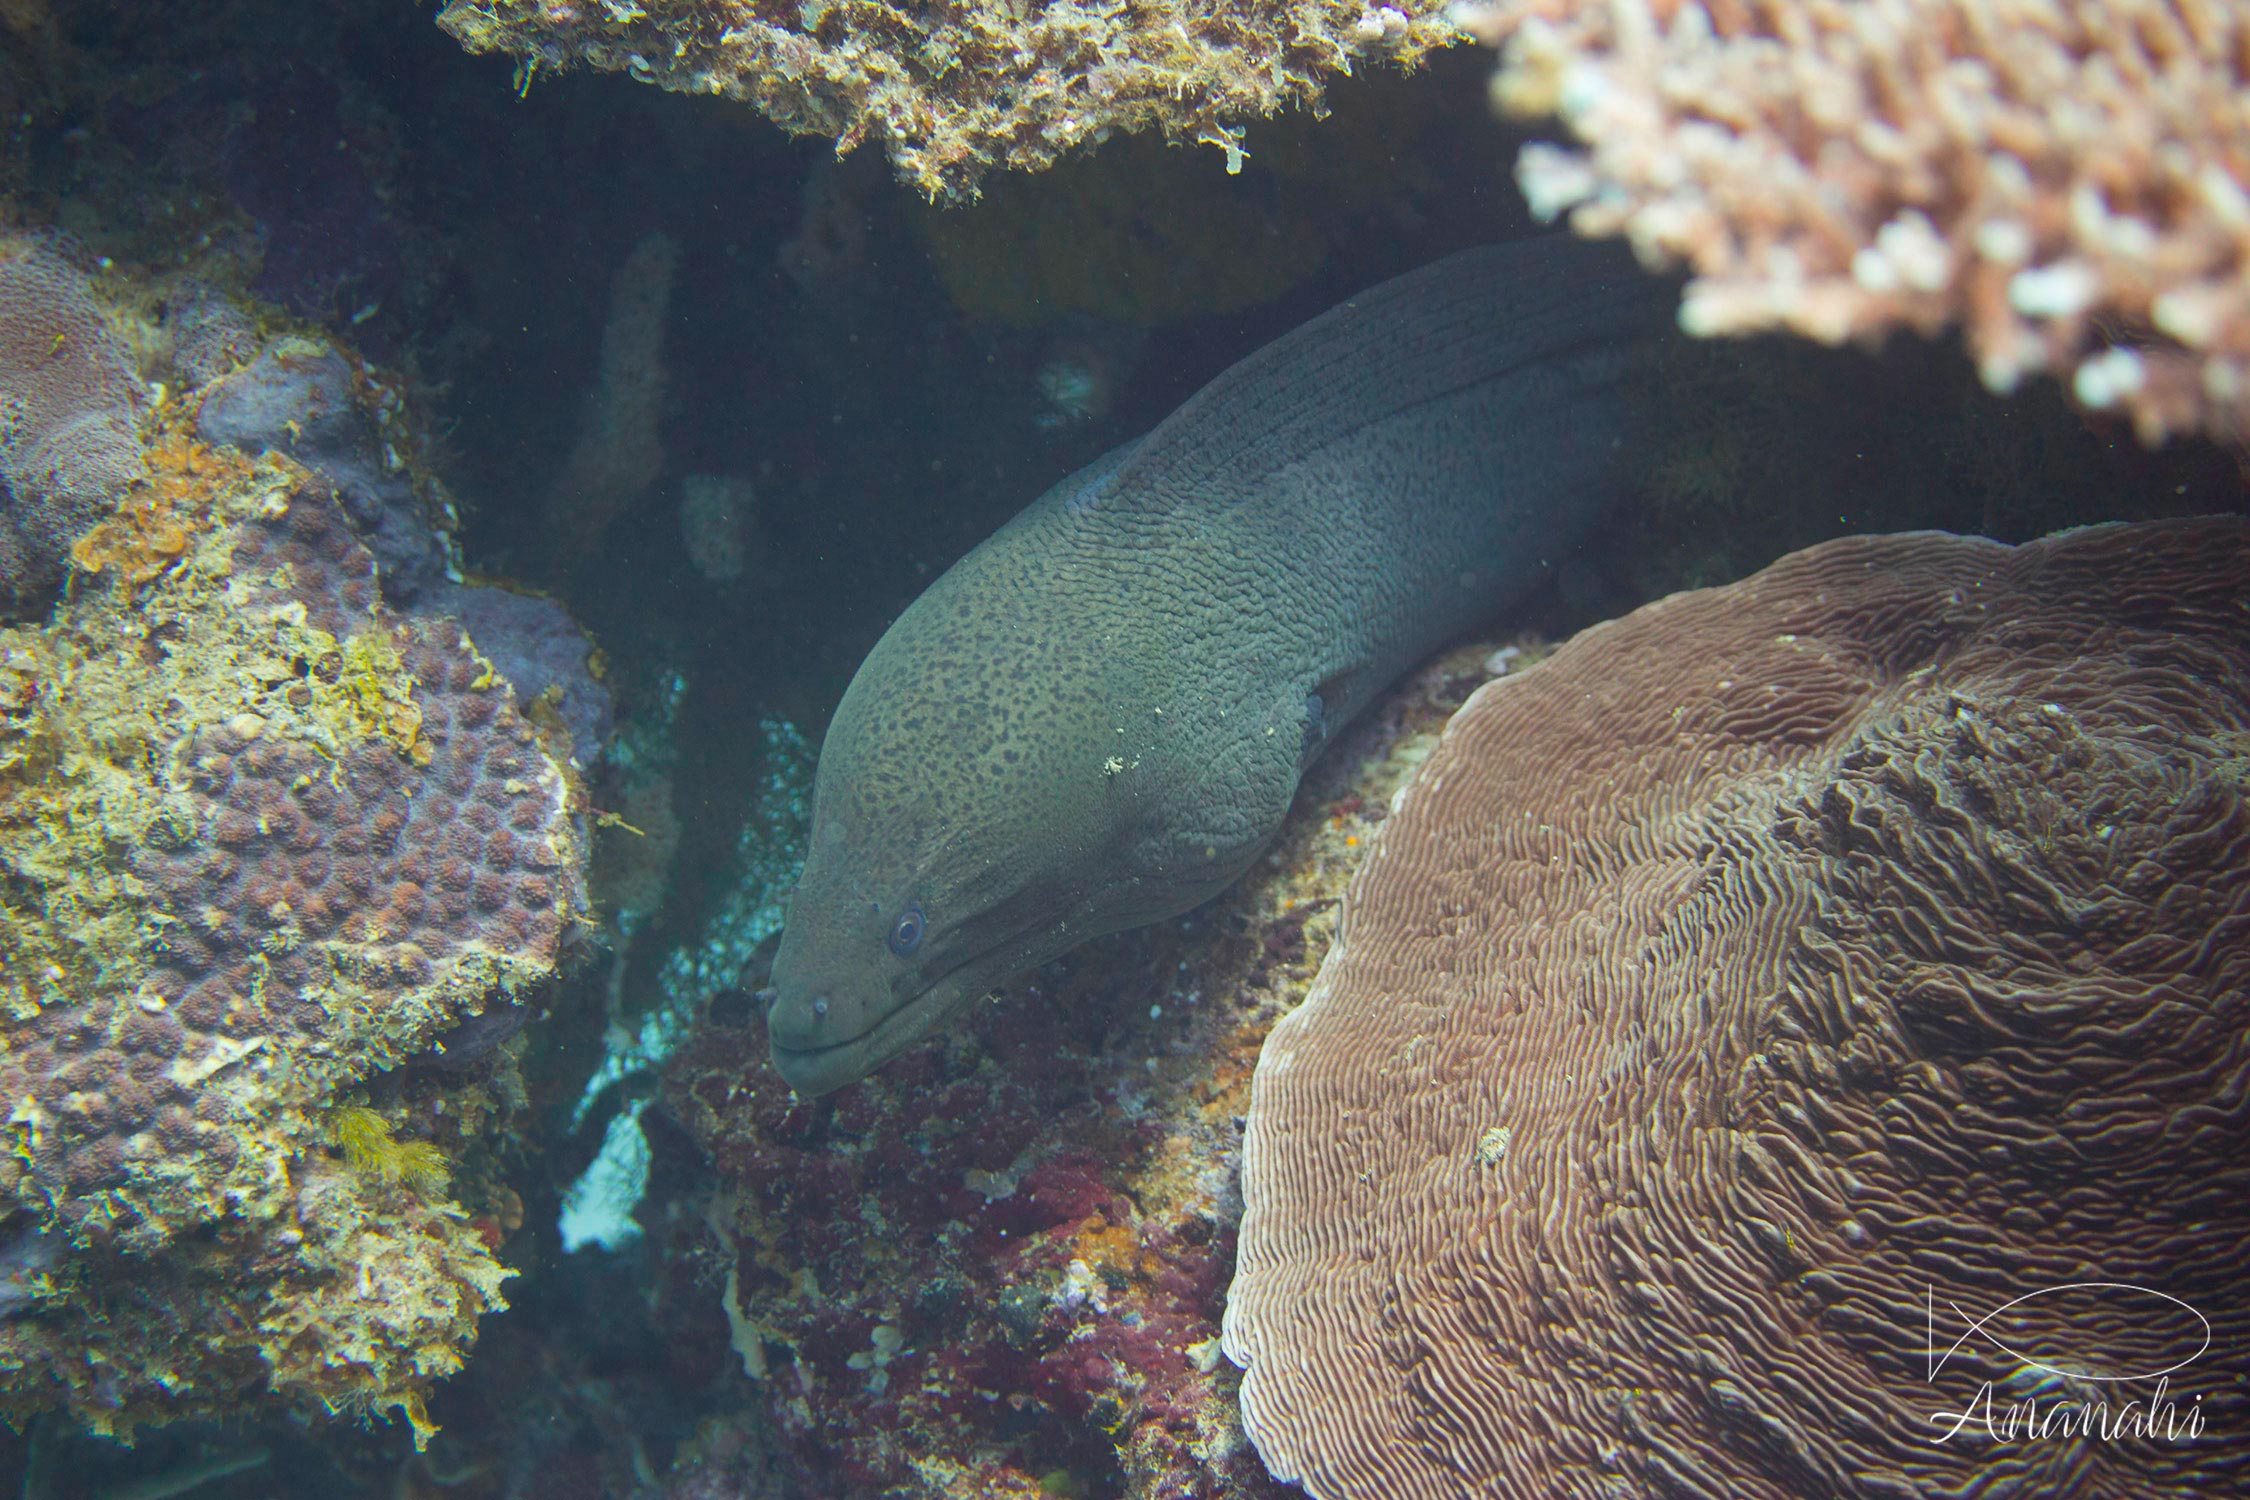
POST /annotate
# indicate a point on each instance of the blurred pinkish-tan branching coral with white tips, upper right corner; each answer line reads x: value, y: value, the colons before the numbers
x: 2067, y: 181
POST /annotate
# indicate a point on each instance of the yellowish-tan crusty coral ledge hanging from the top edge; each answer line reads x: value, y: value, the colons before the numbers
x: 957, y: 91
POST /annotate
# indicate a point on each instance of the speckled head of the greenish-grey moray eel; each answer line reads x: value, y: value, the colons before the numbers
x: 955, y: 842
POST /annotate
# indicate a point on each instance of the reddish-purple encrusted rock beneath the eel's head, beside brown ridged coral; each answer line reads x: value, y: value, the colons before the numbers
x: 998, y: 1267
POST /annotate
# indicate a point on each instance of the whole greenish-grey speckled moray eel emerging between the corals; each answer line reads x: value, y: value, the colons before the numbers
x: 1099, y: 716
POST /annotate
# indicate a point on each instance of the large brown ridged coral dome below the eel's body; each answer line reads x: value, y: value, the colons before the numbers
x: 1745, y: 1009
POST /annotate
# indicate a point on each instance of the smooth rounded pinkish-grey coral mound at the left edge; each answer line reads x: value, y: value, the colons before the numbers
x: 69, y: 422
